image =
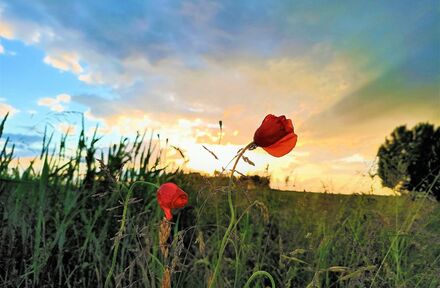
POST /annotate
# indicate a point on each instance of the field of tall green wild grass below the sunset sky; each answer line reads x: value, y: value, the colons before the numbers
x: 81, y: 222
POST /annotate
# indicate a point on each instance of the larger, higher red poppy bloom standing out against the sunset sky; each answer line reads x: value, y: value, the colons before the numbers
x: 276, y: 135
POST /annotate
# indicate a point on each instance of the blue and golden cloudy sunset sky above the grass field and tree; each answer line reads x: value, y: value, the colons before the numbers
x: 346, y: 73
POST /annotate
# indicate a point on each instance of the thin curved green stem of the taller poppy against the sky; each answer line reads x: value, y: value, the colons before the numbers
x: 231, y: 221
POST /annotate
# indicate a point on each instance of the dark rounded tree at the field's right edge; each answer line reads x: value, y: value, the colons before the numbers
x: 410, y: 159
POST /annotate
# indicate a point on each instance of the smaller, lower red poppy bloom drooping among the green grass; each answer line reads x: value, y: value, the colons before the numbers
x: 170, y: 196
